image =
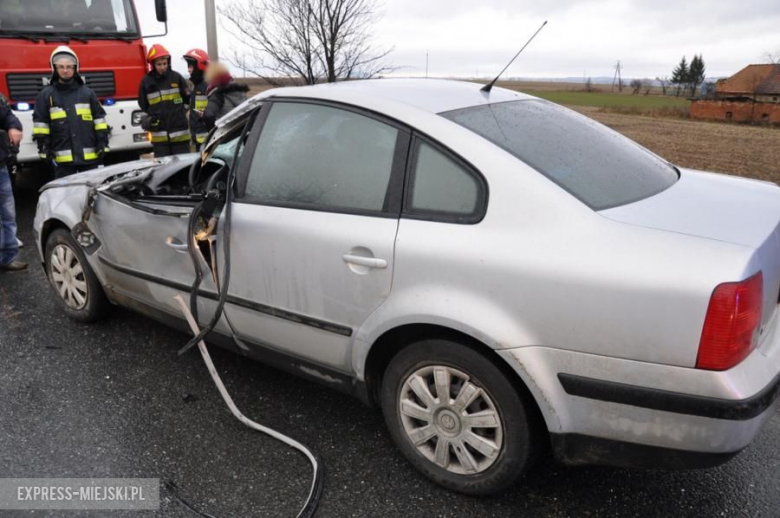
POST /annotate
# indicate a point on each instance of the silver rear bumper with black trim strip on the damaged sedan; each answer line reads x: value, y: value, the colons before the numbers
x: 603, y: 410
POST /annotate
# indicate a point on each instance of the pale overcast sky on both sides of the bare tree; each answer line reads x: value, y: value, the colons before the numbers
x: 467, y: 38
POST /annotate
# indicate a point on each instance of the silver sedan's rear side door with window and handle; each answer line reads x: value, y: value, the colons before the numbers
x: 313, y: 229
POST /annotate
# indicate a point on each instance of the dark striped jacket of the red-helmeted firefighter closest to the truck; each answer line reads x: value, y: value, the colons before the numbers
x: 164, y: 98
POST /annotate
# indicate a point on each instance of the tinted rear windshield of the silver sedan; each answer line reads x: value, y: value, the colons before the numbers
x: 592, y: 162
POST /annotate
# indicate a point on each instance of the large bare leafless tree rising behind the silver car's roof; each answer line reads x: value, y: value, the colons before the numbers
x: 307, y: 41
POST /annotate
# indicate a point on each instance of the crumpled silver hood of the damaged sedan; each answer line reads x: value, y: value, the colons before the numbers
x: 162, y: 169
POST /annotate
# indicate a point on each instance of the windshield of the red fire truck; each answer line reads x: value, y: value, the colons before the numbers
x: 92, y: 18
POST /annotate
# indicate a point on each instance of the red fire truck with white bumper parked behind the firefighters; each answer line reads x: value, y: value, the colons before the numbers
x: 105, y: 35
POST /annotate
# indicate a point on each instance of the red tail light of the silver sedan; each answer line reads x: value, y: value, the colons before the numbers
x: 732, y: 323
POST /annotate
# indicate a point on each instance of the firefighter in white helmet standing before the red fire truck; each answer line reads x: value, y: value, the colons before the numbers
x: 69, y: 123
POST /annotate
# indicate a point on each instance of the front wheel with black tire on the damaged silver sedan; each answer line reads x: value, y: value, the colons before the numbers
x: 95, y: 304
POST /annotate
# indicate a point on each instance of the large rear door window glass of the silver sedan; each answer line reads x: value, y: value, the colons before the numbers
x: 322, y: 158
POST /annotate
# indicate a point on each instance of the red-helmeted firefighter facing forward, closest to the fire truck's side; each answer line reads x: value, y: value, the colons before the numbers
x: 163, y: 95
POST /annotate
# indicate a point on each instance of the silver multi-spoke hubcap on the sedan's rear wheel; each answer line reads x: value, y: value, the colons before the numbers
x: 450, y: 421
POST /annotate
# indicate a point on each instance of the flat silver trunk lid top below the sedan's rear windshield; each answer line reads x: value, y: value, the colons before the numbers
x: 709, y: 205
